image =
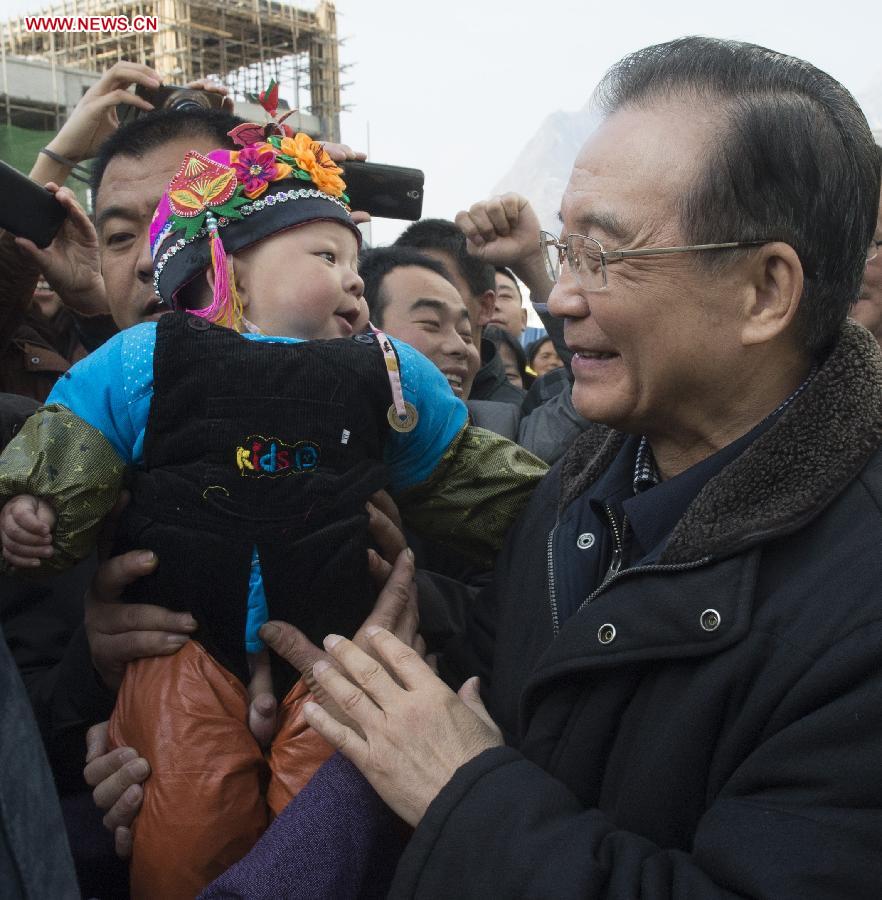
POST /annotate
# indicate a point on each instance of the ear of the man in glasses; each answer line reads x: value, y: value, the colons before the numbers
x: 774, y: 293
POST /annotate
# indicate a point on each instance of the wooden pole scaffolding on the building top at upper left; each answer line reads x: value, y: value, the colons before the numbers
x: 242, y: 43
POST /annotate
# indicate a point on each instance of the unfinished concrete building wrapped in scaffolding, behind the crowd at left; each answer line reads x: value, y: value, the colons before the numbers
x: 241, y: 43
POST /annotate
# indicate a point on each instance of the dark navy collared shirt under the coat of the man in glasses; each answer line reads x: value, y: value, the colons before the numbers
x: 627, y: 516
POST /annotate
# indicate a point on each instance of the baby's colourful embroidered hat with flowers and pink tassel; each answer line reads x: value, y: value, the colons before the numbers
x: 230, y: 199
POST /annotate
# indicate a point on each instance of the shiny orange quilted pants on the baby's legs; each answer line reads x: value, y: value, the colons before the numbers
x: 211, y: 791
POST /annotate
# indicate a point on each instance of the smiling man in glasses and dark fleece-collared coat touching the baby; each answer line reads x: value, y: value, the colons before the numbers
x: 681, y: 647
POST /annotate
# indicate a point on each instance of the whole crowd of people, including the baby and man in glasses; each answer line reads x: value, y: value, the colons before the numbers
x: 317, y: 582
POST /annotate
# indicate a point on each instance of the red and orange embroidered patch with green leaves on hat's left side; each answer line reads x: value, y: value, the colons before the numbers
x: 203, y: 186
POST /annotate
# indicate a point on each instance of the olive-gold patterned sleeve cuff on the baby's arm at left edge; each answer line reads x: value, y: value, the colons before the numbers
x: 63, y: 459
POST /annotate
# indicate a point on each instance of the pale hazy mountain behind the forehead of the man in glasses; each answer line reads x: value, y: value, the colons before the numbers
x: 542, y: 168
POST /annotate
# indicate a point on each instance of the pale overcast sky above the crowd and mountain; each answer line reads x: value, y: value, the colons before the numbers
x: 457, y: 88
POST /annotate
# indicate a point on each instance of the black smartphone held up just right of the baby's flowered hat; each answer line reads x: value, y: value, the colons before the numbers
x: 388, y: 192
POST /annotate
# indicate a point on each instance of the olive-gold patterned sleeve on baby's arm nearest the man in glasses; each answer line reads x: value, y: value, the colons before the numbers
x: 474, y: 495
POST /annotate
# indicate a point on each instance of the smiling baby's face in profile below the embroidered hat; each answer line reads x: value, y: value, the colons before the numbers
x: 304, y: 283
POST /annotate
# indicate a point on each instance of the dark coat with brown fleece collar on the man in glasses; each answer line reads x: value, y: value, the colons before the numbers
x: 707, y: 726
